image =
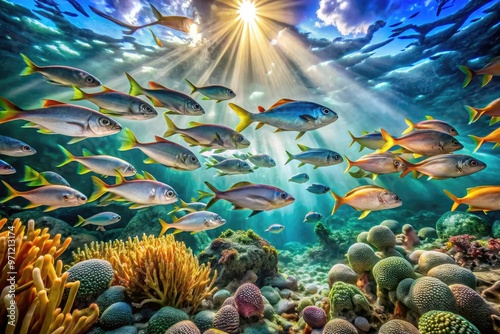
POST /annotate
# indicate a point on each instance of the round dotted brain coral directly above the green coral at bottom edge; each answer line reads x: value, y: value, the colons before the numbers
x: 429, y: 293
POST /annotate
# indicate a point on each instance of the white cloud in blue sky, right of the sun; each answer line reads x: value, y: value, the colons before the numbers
x: 354, y: 16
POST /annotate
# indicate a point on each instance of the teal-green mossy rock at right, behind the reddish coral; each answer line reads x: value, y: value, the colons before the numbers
x: 458, y: 223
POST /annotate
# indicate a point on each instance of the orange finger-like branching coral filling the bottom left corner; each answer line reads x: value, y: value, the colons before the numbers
x: 34, y: 301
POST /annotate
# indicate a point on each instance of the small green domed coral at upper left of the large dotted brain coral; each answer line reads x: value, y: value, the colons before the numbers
x: 390, y: 271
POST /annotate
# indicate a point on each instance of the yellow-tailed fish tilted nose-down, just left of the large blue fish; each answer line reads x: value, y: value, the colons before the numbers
x: 176, y: 102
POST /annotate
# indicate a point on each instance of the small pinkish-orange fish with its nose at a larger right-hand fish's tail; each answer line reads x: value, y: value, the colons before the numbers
x: 378, y: 163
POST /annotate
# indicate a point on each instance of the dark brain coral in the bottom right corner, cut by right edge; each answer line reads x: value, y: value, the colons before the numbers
x: 473, y: 307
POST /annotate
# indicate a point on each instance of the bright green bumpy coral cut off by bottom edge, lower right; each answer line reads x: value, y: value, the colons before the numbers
x: 441, y: 322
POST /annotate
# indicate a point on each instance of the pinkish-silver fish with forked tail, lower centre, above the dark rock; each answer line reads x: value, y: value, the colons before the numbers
x: 256, y: 197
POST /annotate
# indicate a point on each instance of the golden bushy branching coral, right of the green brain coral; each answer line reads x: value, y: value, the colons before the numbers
x: 155, y: 270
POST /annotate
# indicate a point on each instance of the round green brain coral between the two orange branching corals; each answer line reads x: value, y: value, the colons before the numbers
x: 94, y: 275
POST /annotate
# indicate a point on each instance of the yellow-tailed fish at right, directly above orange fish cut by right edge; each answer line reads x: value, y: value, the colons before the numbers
x: 445, y: 166
